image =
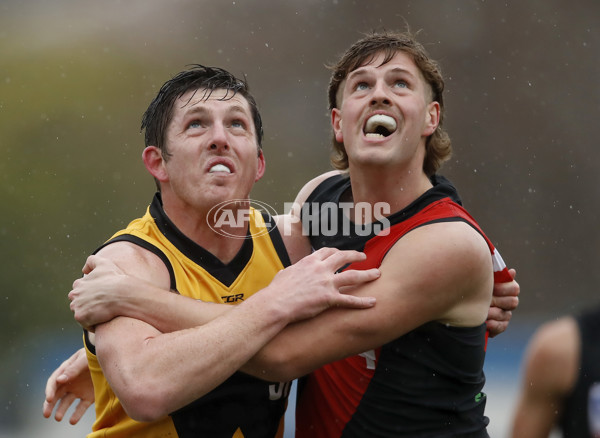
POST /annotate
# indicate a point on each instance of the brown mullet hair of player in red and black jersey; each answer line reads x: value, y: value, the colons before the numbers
x: 438, y: 146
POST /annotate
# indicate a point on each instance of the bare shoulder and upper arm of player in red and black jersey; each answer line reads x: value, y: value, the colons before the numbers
x: 449, y: 266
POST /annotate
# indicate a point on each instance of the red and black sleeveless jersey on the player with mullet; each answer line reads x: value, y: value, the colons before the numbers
x: 426, y: 383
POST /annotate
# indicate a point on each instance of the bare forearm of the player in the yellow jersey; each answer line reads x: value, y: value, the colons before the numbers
x: 167, y: 371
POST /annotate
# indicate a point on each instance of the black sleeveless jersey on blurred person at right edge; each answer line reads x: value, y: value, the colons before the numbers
x: 581, y: 415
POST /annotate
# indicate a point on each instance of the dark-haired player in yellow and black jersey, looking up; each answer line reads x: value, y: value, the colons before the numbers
x: 203, y: 146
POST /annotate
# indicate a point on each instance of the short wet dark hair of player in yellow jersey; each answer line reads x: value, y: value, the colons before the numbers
x: 157, y: 117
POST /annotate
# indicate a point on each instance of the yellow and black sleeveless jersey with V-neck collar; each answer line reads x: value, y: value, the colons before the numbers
x: 242, y: 406
